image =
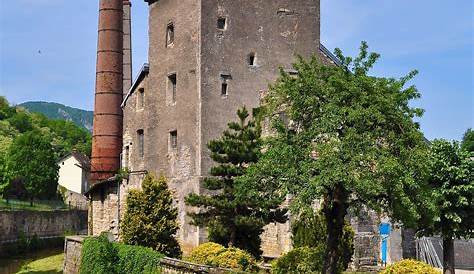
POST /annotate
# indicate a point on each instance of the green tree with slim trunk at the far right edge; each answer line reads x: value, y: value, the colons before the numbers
x: 452, y: 180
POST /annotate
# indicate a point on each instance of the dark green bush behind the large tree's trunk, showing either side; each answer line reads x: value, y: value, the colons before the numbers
x: 309, y: 230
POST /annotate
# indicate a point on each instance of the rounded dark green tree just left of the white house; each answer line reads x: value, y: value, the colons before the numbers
x: 31, y: 159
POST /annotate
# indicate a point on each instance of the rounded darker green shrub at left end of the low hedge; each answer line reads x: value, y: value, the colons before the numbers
x: 99, y: 256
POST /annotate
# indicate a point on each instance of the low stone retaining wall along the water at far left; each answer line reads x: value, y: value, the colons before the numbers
x: 43, y: 224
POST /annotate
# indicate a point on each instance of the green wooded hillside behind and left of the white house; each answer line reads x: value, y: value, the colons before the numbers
x: 30, y: 145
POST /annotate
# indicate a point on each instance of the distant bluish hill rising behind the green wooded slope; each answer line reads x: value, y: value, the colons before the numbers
x: 82, y: 118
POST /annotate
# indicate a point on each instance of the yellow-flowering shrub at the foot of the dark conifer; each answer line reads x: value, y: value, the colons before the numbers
x: 216, y: 255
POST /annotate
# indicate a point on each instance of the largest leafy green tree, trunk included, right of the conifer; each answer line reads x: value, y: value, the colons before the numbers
x: 350, y: 140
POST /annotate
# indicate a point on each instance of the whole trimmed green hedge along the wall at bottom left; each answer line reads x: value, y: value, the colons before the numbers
x: 99, y: 256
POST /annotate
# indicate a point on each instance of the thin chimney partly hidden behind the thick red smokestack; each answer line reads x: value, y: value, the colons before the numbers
x: 127, y: 47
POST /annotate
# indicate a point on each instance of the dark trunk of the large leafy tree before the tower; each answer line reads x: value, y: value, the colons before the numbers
x: 335, y: 210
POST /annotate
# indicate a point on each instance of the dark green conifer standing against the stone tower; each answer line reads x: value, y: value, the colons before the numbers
x: 235, y: 217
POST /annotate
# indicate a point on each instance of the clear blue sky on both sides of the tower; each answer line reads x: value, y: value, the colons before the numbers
x: 47, y: 50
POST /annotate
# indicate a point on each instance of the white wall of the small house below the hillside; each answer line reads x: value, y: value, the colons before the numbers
x: 71, y: 175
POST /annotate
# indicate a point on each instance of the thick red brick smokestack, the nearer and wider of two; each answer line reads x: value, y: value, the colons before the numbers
x: 107, y: 131
